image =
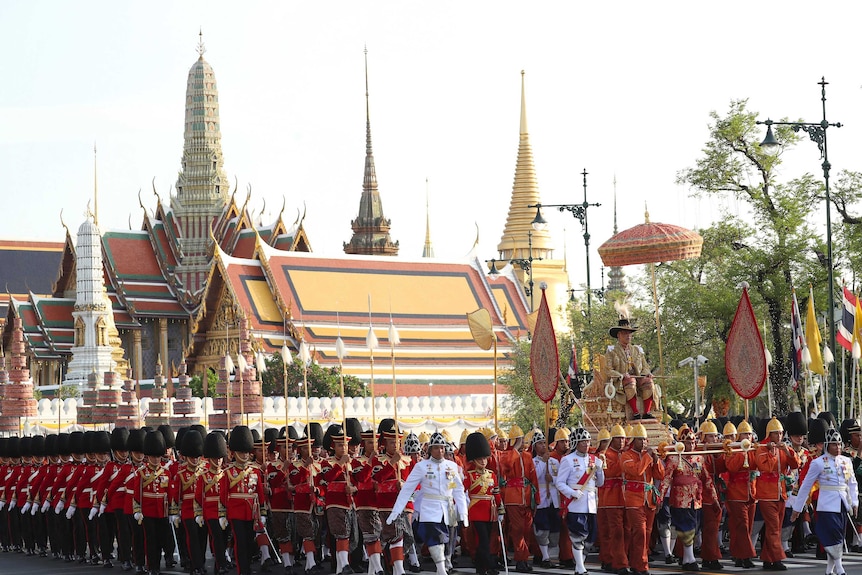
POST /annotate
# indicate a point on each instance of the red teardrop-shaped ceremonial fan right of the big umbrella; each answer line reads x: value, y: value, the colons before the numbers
x: 744, y: 356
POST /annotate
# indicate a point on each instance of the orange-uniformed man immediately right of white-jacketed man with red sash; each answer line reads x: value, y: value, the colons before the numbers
x: 611, y: 508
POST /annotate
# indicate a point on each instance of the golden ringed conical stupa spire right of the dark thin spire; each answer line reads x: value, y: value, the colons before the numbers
x: 525, y: 192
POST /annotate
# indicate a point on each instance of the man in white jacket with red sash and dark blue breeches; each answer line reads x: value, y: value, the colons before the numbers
x: 579, y: 476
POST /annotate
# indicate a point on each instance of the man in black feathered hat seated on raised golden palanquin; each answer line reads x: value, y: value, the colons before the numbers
x: 627, y: 365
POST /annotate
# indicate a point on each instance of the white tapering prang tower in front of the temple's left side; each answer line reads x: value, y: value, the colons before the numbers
x: 93, y: 317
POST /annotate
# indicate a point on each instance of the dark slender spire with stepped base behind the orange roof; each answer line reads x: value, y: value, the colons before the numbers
x: 370, y: 228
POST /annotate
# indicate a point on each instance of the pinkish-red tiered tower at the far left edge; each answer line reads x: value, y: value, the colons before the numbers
x: 16, y: 388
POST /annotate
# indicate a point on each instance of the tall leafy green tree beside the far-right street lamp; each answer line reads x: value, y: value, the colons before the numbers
x: 780, y: 245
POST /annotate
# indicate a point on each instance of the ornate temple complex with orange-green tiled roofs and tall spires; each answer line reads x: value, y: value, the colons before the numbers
x: 180, y: 285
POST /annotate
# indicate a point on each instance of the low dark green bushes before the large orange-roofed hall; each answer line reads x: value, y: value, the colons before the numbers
x: 322, y: 381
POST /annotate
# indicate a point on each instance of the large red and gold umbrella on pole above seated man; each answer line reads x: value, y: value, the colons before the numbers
x: 651, y: 243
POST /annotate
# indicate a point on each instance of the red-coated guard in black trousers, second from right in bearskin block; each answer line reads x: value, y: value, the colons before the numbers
x: 208, y: 508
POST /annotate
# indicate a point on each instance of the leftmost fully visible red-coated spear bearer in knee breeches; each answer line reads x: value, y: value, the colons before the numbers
x: 304, y: 480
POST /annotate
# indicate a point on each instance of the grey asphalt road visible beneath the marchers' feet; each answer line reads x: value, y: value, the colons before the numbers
x: 801, y: 564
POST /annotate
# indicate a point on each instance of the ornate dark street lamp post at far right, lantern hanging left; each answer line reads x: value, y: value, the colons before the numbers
x: 817, y: 132
